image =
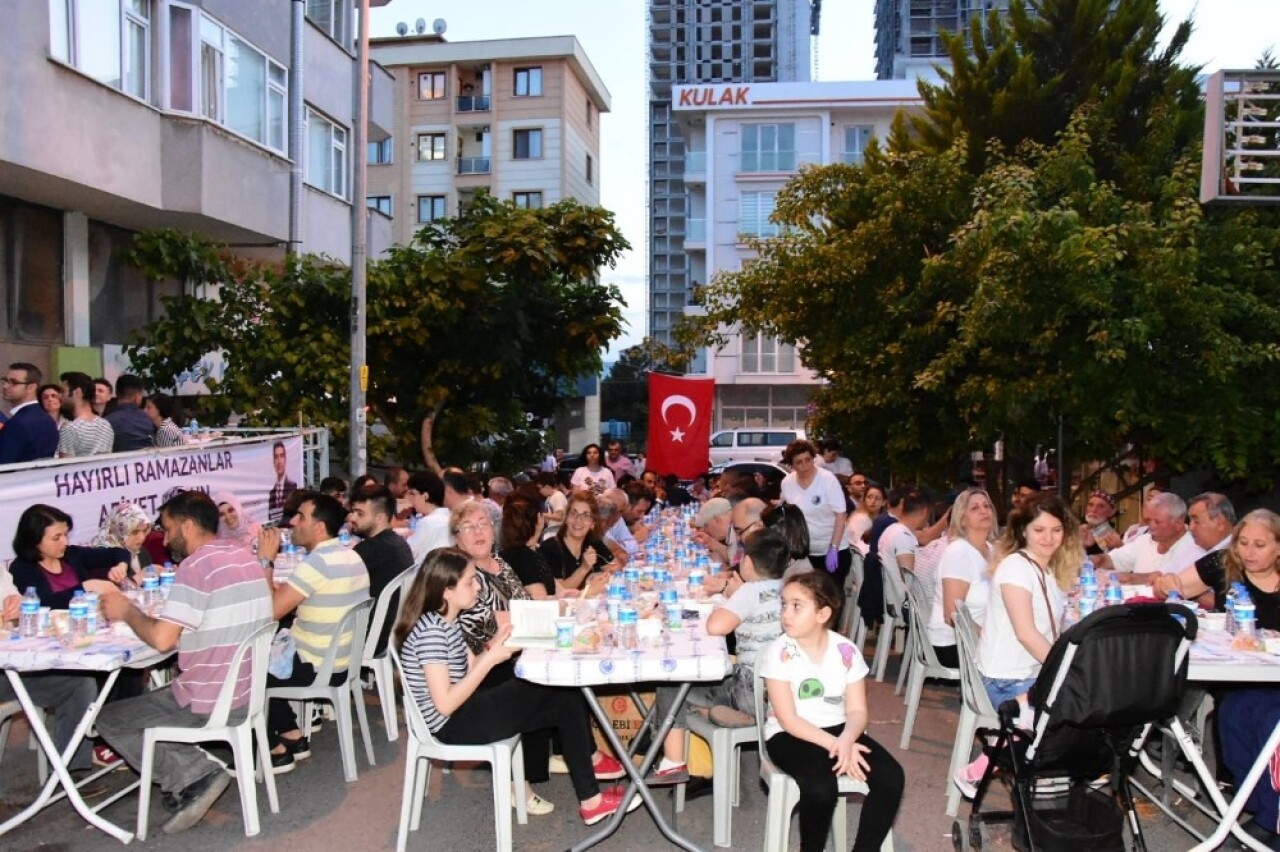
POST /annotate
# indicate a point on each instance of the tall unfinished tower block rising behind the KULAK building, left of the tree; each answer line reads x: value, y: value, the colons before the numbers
x: 706, y: 42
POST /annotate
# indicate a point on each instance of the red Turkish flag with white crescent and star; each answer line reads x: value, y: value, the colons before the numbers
x: 680, y: 425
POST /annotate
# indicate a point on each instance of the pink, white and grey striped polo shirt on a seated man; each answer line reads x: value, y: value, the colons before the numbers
x: 220, y: 598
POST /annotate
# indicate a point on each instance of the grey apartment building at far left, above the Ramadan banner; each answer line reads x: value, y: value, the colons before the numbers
x: 124, y: 116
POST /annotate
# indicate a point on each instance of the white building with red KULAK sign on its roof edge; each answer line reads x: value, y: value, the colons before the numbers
x: 743, y: 143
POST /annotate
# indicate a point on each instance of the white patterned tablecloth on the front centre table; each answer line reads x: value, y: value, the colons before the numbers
x: 682, y: 656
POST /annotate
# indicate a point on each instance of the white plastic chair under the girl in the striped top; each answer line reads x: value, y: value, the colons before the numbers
x: 506, y: 757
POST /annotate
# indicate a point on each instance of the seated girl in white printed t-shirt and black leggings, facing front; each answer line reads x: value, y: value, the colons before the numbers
x: 817, y: 722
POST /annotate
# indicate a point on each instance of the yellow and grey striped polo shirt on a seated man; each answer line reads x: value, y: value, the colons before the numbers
x: 333, y: 580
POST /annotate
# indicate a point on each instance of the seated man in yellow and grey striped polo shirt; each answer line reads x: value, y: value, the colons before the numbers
x: 330, y: 581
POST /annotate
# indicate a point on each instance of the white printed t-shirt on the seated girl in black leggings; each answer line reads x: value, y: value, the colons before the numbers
x: 817, y: 689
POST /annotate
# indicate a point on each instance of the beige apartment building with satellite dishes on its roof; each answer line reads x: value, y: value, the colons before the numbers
x: 518, y: 118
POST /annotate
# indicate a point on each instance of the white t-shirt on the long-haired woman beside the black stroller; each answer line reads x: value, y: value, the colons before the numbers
x: 1000, y: 654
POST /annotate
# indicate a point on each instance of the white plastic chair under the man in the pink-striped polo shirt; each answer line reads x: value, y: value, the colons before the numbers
x: 255, y: 652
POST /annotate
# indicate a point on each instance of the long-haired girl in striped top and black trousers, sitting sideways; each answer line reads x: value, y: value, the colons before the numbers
x: 445, y: 679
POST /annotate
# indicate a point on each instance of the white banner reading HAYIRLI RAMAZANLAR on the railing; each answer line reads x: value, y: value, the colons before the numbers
x: 262, y: 473
